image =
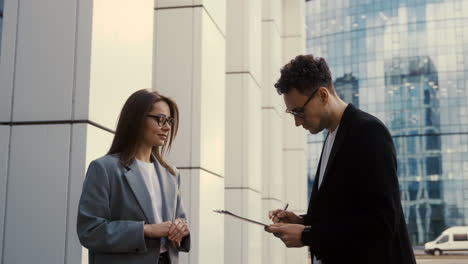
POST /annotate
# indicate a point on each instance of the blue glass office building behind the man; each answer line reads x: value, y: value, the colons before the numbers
x: 406, y: 62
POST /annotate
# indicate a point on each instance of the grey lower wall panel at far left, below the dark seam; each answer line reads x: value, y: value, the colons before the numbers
x: 36, y: 210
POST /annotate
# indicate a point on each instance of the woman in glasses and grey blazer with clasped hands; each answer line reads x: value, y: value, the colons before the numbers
x: 130, y: 209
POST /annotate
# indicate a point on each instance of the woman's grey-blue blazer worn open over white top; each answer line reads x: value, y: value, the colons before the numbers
x: 114, y: 206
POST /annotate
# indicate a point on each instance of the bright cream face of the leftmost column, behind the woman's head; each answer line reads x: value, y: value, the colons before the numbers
x: 120, y: 63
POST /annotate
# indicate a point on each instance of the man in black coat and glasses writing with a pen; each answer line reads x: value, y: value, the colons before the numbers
x: 355, y: 213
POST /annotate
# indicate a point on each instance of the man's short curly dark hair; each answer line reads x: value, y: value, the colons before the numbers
x: 306, y: 74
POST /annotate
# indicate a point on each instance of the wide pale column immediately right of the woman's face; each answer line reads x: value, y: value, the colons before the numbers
x: 189, y: 66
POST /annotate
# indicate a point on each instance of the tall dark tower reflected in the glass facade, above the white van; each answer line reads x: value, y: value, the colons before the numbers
x: 412, y: 115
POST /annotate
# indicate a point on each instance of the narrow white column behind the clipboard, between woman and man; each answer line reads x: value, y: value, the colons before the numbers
x: 243, y: 241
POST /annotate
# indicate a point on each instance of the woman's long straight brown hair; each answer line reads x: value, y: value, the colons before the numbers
x: 131, y: 125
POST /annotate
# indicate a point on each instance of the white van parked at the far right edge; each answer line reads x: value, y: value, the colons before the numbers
x: 452, y: 239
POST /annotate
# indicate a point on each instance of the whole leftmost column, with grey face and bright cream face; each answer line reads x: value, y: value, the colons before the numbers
x: 67, y: 67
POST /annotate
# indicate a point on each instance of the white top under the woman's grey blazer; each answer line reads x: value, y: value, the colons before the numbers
x: 148, y: 171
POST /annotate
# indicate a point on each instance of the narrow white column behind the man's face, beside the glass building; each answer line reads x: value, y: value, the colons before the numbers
x: 294, y: 140
